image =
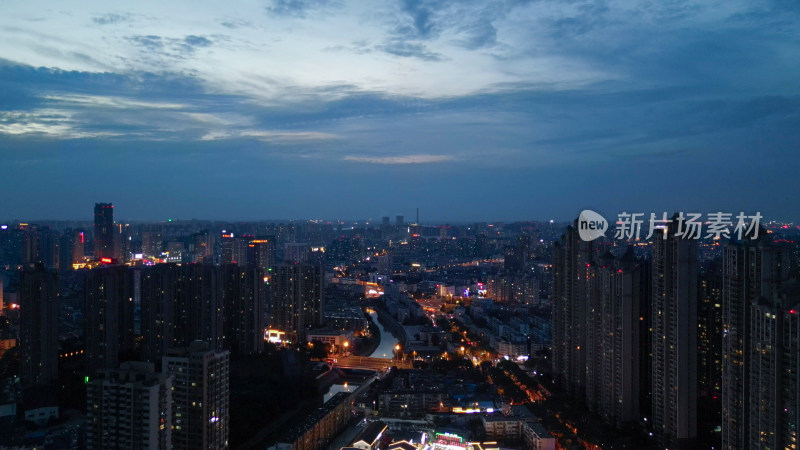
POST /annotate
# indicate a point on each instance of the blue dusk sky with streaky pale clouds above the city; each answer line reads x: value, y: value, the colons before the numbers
x: 490, y: 110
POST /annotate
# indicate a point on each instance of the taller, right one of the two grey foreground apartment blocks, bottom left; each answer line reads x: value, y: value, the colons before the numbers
x: 201, y: 396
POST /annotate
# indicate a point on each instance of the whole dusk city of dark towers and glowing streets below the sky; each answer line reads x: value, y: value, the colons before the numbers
x: 546, y: 336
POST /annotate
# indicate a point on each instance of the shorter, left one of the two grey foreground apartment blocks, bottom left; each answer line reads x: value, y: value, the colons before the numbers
x: 129, y: 407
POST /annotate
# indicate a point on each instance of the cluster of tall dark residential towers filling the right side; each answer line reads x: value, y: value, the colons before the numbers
x: 635, y: 339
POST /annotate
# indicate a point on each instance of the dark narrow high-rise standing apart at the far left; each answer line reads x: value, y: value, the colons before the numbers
x: 39, y: 297
